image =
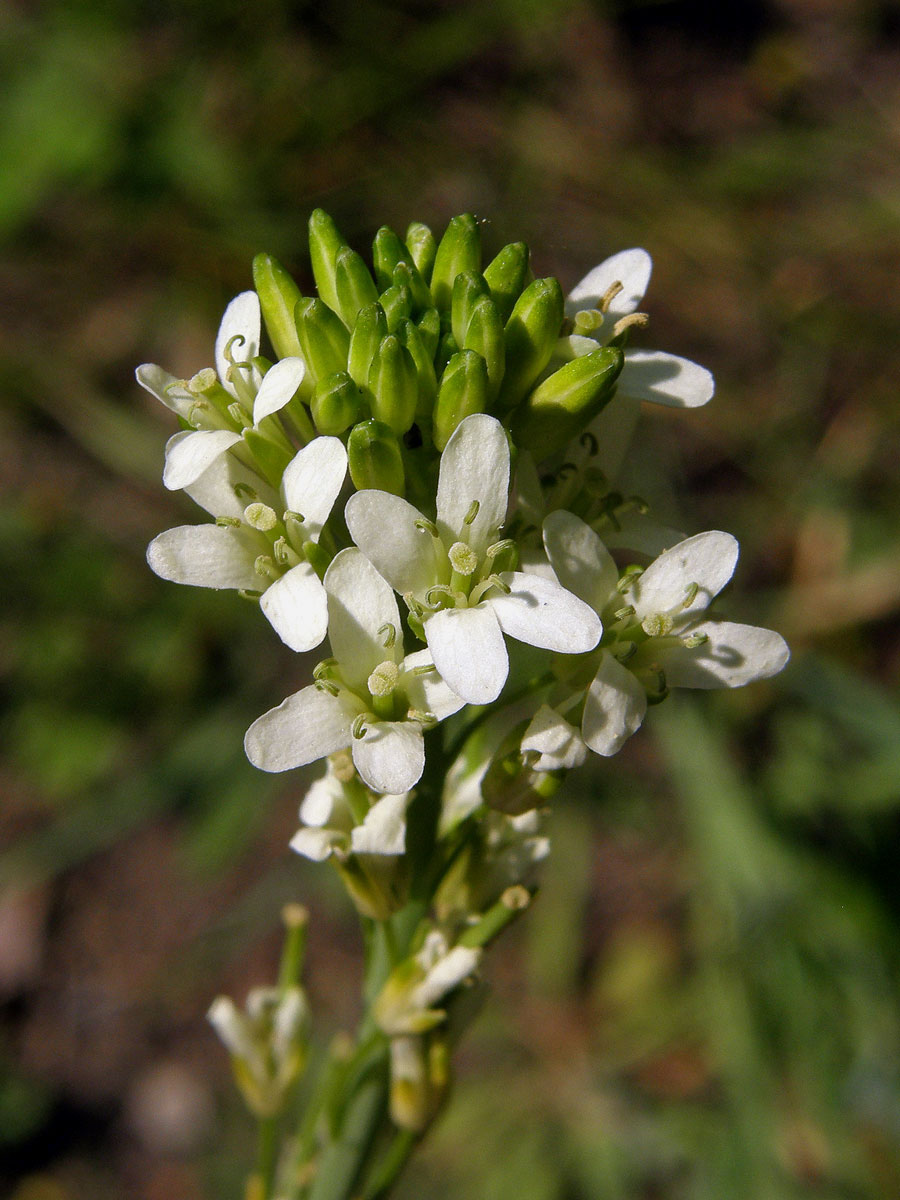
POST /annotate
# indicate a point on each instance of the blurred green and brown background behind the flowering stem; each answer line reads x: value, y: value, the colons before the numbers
x: 704, y: 1003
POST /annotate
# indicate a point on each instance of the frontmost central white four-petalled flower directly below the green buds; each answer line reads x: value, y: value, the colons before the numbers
x: 446, y: 571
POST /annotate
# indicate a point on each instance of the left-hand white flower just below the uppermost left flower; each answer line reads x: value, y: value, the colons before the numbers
x: 262, y: 539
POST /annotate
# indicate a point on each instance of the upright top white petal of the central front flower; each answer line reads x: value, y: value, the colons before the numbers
x: 475, y: 466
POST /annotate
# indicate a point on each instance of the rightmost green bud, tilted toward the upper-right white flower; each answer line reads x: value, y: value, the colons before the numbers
x: 561, y: 407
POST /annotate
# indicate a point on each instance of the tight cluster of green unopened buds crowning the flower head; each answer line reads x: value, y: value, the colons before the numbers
x: 400, y: 355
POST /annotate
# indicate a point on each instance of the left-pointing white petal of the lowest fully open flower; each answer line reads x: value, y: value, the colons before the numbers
x: 304, y: 728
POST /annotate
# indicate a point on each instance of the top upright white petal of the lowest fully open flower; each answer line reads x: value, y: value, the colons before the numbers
x: 361, y: 604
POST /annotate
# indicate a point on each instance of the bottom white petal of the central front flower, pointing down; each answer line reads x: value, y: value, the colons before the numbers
x: 470, y: 652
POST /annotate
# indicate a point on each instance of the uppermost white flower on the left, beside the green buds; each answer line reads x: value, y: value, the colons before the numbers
x: 223, y: 404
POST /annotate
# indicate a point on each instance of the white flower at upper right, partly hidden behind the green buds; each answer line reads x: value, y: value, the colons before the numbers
x: 603, y: 304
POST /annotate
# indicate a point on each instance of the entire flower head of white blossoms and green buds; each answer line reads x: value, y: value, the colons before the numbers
x: 424, y: 473
